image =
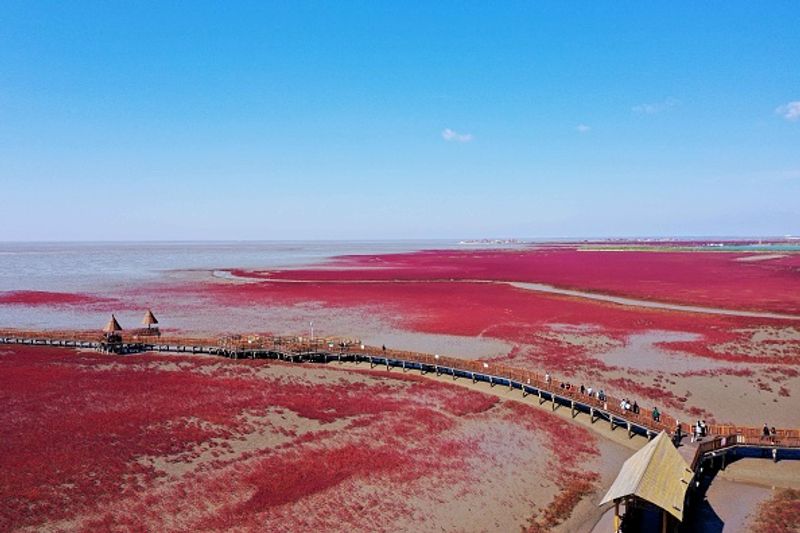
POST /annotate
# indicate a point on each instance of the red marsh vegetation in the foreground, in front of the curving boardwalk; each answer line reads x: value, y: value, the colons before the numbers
x: 95, y: 442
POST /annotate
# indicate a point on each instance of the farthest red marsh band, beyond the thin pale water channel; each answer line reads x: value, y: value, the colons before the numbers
x: 719, y: 279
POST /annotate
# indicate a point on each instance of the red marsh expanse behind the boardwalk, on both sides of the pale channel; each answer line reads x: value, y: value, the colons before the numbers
x: 462, y: 293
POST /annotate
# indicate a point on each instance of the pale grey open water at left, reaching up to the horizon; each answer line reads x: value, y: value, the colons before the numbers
x: 93, y: 267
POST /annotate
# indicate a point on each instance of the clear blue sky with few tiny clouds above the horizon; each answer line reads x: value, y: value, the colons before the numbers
x: 360, y: 120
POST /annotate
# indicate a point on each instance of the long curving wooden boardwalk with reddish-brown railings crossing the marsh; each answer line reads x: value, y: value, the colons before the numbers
x: 297, y: 349
